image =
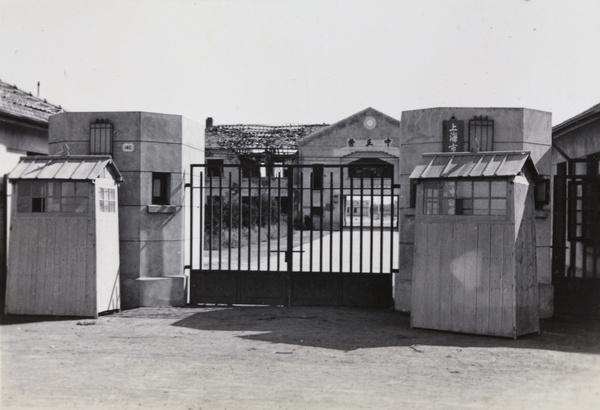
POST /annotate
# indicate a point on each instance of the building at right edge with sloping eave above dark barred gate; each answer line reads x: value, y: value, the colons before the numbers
x: 576, y: 216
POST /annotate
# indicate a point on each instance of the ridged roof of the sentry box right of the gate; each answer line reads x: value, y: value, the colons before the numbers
x: 472, y: 165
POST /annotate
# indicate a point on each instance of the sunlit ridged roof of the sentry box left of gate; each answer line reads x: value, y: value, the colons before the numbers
x: 80, y: 167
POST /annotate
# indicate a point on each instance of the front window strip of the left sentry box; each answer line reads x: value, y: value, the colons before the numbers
x: 52, y: 196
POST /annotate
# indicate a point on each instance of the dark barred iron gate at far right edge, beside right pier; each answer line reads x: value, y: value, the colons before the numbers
x: 576, y: 238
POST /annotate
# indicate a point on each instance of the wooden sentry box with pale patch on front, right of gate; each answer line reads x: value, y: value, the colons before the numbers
x: 475, y: 265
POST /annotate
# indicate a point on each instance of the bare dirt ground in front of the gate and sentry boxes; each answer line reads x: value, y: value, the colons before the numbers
x: 290, y: 358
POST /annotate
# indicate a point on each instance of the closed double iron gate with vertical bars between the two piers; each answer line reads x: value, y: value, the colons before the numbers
x: 315, y: 235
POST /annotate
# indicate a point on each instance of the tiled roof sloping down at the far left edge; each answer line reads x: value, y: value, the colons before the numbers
x: 22, y: 104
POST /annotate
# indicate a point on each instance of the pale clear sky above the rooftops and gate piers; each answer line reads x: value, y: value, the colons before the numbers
x: 281, y: 62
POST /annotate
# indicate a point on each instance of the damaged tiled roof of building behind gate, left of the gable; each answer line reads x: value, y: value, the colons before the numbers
x: 252, y: 137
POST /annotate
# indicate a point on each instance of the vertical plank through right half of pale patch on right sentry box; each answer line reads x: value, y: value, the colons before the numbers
x: 471, y: 256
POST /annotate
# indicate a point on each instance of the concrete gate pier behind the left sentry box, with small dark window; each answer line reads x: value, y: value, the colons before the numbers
x: 153, y: 152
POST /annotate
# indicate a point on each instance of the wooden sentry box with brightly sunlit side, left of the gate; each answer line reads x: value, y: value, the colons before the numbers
x: 64, y: 237
